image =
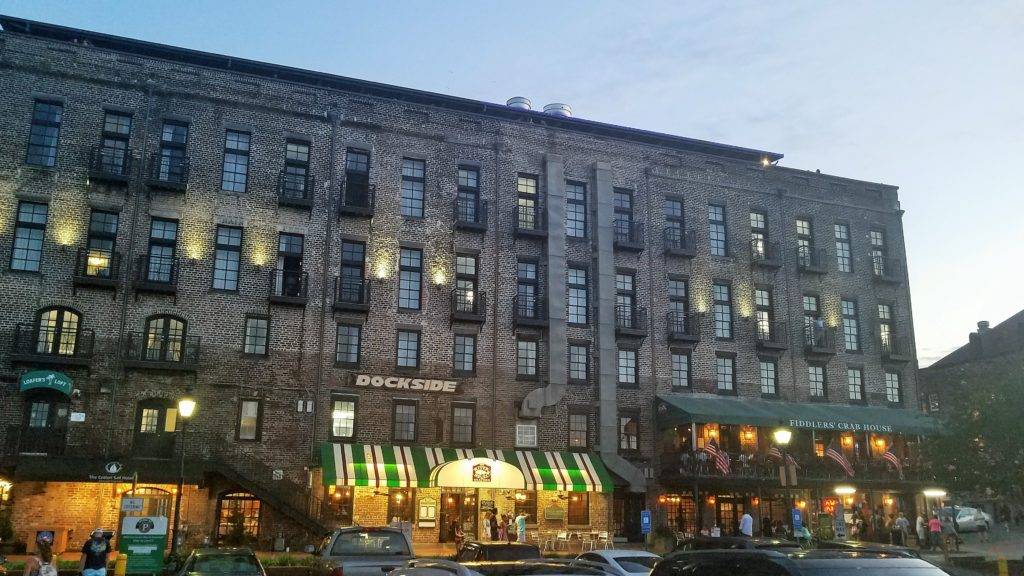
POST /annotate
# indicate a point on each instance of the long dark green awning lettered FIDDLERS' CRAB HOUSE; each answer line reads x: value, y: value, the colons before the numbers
x: 678, y: 408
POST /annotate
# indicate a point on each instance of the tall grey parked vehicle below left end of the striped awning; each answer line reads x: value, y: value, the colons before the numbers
x: 365, y: 552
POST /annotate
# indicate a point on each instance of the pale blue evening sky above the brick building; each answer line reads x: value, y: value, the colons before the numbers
x: 927, y: 96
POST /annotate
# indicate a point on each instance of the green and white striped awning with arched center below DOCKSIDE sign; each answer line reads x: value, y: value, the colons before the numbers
x: 418, y: 467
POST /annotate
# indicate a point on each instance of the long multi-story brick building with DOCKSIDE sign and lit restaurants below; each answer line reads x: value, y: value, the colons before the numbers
x: 389, y: 303
